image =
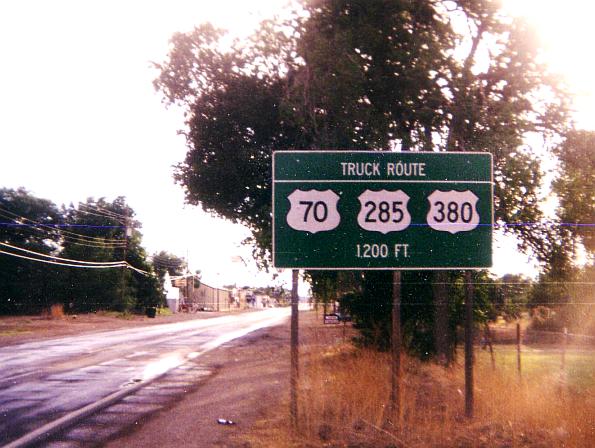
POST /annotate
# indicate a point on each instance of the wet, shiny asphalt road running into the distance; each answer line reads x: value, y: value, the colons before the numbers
x: 41, y: 382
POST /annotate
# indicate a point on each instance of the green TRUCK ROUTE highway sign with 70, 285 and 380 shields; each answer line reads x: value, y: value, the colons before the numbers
x: 382, y: 210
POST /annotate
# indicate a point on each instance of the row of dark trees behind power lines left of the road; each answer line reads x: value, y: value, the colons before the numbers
x: 74, y: 255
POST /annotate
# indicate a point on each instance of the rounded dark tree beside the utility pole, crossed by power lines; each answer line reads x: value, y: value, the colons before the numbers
x: 107, y: 231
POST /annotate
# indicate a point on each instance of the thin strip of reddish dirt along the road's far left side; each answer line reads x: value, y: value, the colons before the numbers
x: 17, y: 330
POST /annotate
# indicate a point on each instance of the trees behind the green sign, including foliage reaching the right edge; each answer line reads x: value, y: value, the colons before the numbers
x: 422, y: 75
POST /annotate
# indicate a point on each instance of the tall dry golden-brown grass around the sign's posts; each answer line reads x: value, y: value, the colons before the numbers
x: 344, y: 397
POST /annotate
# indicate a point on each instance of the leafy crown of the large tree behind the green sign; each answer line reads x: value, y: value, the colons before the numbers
x: 364, y: 74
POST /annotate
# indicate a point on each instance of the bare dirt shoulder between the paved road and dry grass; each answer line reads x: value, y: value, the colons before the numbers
x: 250, y: 388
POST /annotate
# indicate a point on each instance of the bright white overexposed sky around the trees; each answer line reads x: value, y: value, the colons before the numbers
x: 79, y: 116
